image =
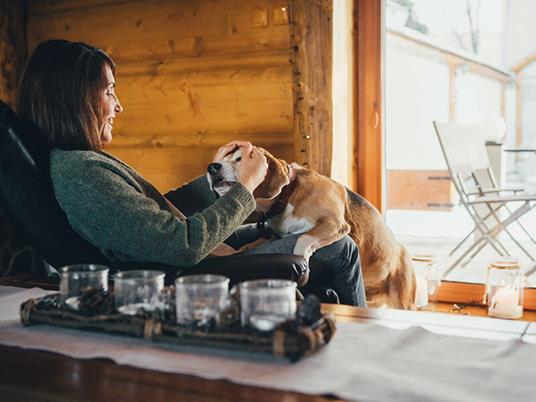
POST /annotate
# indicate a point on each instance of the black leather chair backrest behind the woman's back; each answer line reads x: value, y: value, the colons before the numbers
x: 27, y: 197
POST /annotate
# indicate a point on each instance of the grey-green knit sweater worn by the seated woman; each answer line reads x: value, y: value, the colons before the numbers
x: 111, y: 206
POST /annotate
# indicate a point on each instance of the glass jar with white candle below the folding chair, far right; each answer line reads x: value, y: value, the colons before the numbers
x: 504, y: 288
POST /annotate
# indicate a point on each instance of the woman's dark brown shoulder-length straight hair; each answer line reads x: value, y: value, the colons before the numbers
x: 59, y: 93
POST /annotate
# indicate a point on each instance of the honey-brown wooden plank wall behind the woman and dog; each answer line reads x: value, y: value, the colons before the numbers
x: 191, y: 75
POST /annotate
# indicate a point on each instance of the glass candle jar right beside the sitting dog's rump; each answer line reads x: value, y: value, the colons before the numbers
x: 427, y: 276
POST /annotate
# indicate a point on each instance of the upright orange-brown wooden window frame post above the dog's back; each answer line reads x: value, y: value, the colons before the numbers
x: 368, y: 105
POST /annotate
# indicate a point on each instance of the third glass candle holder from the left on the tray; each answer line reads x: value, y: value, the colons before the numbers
x: 200, y: 299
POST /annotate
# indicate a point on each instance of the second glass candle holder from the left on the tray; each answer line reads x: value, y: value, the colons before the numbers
x: 136, y: 290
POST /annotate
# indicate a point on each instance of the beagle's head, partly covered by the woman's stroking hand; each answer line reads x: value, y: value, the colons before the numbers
x: 222, y: 175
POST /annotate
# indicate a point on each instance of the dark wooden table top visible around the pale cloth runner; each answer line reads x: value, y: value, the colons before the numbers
x: 28, y: 375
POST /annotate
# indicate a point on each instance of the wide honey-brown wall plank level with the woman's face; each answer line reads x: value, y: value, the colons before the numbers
x: 204, y: 103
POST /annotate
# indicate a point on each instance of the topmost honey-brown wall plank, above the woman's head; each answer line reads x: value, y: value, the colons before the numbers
x: 149, y: 30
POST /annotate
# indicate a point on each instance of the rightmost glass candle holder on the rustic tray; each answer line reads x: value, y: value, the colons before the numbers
x: 265, y: 303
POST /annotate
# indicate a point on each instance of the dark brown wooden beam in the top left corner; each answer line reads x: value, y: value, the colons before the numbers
x: 12, y: 48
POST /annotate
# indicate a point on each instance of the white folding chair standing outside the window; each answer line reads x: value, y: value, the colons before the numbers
x: 491, y: 208
